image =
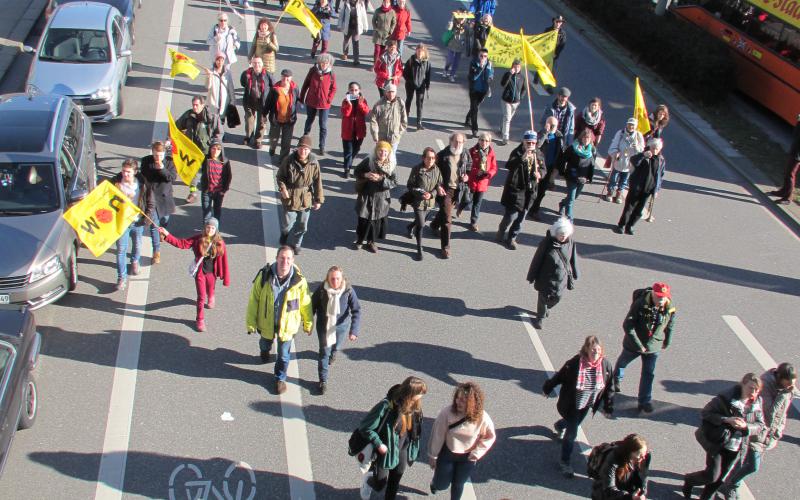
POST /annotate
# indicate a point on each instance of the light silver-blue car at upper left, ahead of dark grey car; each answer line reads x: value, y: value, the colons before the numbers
x: 84, y: 53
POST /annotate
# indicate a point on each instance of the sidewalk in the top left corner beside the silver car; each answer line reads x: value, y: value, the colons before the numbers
x: 19, y: 17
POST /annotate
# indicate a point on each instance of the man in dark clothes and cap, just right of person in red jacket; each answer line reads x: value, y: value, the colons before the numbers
x: 525, y: 167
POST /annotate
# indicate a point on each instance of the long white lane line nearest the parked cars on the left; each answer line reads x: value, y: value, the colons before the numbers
x: 111, y: 474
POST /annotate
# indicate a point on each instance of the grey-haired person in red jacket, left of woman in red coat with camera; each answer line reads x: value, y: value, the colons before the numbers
x: 317, y: 93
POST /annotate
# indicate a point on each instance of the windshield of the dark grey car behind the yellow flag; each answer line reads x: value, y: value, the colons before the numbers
x: 27, y: 189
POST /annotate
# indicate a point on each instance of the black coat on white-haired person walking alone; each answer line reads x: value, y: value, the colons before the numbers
x: 550, y: 272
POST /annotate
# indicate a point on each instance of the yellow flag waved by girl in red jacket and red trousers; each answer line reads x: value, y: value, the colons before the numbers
x: 102, y: 217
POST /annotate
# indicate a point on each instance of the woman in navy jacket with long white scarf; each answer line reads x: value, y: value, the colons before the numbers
x: 338, y: 314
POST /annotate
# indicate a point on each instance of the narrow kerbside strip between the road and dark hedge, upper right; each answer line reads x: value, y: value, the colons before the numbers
x: 679, y: 108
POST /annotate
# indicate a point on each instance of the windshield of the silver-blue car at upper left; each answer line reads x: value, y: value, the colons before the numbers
x: 73, y: 45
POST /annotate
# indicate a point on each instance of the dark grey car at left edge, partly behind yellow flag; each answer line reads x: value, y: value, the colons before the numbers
x: 47, y: 162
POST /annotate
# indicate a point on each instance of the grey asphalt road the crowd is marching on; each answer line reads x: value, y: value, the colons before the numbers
x: 203, y: 404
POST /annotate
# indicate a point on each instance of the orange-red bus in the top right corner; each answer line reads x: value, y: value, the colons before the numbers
x: 764, y: 38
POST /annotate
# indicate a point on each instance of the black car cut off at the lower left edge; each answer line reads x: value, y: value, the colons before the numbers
x: 19, y: 354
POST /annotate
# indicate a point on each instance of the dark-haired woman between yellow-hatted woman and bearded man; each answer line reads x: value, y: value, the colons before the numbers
x: 424, y: 184
